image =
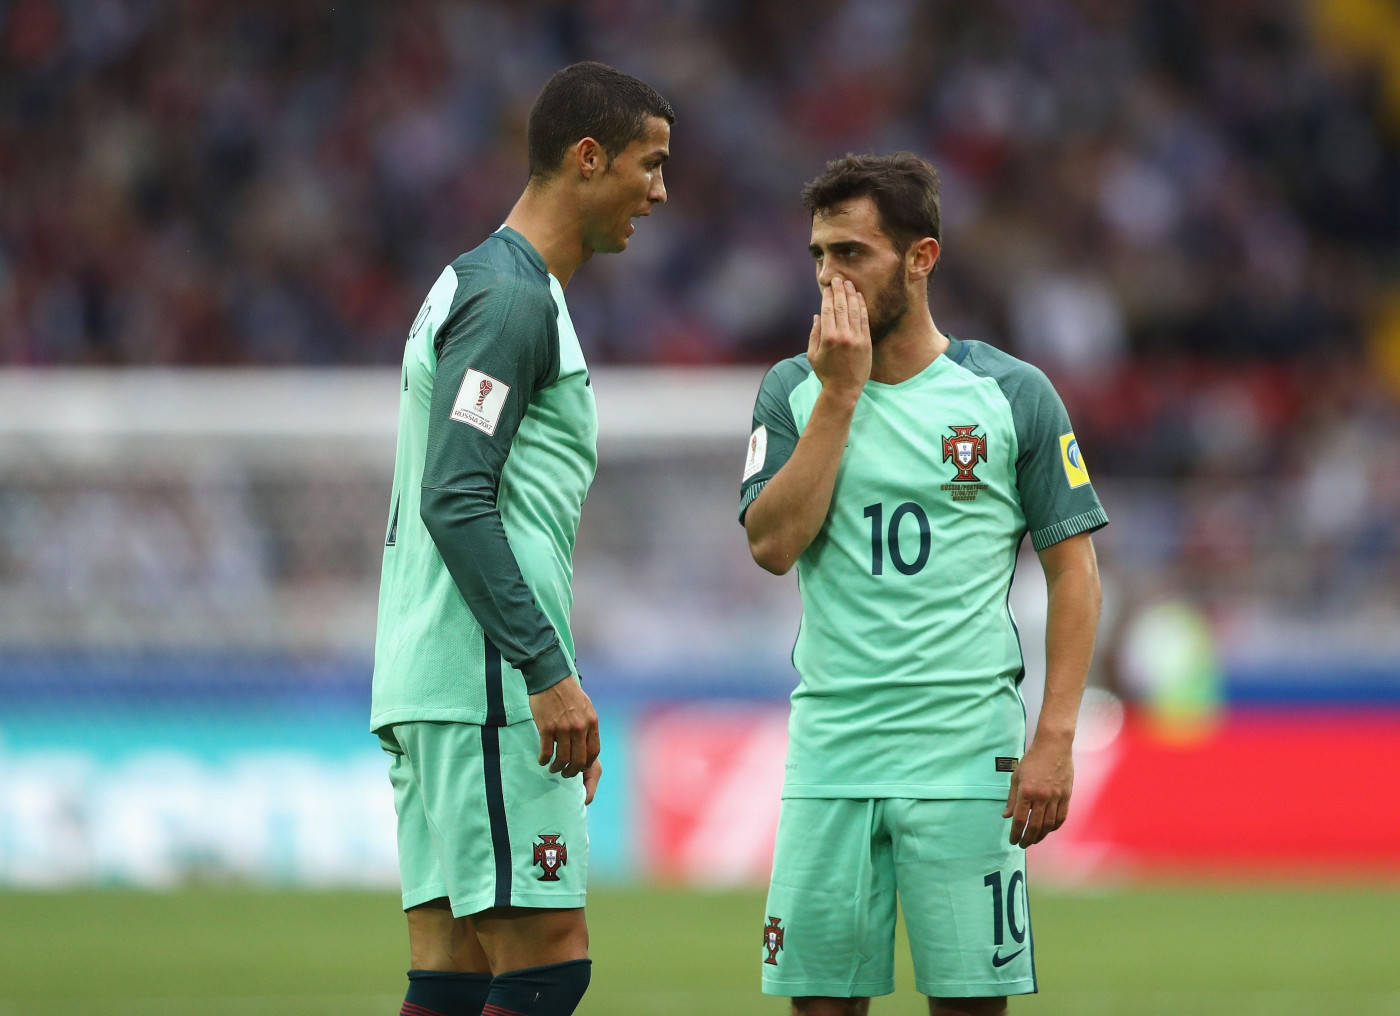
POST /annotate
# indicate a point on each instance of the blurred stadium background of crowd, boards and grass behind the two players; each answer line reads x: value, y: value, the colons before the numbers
x: 218, y: 219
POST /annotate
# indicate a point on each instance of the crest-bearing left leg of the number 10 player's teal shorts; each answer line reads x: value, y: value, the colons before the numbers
x: 829, y: 926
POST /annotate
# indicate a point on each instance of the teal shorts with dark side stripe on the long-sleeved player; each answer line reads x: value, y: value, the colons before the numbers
x: 482, y: 822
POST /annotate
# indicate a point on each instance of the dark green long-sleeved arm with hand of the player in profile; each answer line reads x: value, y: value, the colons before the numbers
x: 506, y: 339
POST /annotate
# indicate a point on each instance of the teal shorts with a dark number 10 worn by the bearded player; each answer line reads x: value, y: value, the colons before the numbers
x: 841, y: 864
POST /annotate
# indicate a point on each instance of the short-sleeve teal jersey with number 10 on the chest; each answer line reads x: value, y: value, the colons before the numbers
x: 908, y: 651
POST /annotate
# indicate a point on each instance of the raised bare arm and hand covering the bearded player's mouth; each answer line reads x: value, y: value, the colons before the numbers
x: 792, y: 509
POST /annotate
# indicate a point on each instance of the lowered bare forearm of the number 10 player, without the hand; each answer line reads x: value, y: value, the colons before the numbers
x: 1072, y: 623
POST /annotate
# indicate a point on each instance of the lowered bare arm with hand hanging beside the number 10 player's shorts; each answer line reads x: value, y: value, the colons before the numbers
x: 1045, y: 780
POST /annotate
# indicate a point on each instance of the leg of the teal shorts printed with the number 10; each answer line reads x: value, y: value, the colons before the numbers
x: 962, y: 888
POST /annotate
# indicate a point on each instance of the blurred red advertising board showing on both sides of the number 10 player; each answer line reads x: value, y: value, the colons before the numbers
x: 1256, y: 793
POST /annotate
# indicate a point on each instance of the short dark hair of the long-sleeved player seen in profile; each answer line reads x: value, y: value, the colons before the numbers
x: 590, y: 100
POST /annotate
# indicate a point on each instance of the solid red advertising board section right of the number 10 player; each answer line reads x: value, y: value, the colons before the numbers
x: 1268, y: 793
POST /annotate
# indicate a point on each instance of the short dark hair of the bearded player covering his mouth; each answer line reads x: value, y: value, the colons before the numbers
x: 904, y: 187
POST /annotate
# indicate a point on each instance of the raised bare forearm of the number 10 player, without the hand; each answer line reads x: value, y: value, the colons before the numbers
x: 789, y: 514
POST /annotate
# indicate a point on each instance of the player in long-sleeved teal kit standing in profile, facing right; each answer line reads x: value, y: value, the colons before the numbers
x: 492, y: 741
